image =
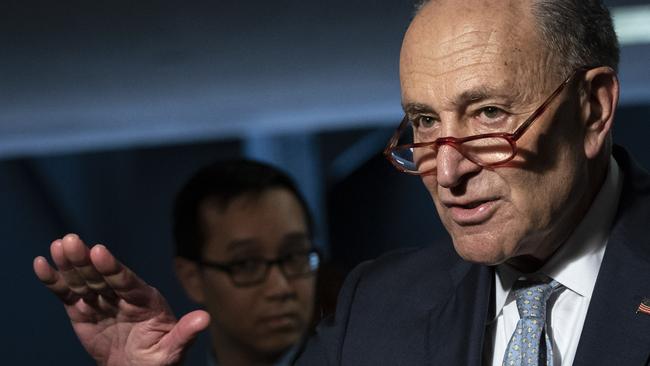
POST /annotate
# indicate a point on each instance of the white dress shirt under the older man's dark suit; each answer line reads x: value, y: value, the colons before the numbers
x: 575, y: 266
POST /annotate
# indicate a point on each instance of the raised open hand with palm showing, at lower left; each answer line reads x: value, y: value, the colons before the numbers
x: 119, y: 319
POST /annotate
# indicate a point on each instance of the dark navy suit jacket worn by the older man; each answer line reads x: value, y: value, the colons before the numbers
x: 429, y: 307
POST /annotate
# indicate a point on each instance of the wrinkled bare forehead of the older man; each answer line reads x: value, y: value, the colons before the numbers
x: 460, y: 45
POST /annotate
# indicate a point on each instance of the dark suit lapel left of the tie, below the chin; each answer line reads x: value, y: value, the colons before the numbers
x: 457, y: 326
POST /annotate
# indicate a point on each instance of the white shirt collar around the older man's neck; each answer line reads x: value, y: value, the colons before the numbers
x: 576, y: 264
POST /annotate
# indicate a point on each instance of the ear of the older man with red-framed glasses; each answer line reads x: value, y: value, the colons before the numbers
x: 601, y: 96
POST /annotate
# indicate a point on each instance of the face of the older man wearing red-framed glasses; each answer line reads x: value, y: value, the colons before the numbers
x: 459, y: 58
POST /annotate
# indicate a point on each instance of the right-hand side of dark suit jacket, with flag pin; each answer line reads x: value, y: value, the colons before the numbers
x: 614, y: 333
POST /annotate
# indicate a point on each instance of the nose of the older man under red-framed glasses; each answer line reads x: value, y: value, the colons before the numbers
x: 452, y: 167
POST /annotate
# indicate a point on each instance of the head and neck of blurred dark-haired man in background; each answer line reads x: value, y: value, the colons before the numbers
x: 244, y: 250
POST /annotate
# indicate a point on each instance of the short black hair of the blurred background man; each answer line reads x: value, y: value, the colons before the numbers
x: 224, y: 181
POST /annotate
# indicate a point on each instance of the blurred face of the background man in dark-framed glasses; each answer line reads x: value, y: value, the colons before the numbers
x: 270, y: 317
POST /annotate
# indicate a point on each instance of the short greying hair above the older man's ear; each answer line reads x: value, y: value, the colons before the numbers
x: 576, y: 32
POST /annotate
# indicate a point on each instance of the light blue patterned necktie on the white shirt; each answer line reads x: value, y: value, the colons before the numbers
x: 526, y: 347
